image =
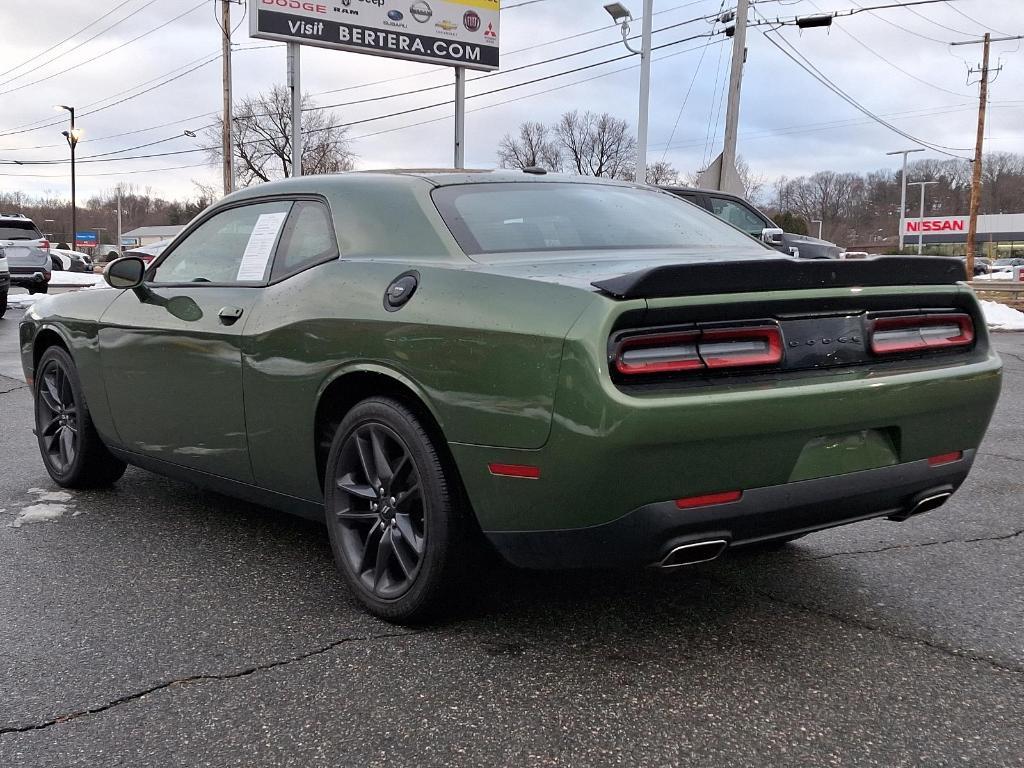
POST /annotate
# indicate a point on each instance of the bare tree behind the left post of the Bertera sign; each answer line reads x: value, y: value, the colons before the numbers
x: 263, y: 139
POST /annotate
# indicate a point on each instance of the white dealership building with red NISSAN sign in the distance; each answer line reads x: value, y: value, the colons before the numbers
x: 1000, y: 236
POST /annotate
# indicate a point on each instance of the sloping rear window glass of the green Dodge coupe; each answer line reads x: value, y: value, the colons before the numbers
x: 560, y: 217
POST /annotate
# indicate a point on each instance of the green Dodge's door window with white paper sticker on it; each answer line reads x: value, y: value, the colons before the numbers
x: 234, y: 246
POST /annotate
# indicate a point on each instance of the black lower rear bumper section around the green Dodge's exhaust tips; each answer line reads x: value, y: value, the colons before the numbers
x: 649, y: 534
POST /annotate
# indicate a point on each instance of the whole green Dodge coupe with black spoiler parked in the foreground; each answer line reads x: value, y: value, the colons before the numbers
x: 581, y: 373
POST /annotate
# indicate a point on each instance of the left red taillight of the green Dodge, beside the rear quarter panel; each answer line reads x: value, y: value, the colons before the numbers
x: 700, y: 350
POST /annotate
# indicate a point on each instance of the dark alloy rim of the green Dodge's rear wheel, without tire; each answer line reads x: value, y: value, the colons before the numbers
x: 380, y: 510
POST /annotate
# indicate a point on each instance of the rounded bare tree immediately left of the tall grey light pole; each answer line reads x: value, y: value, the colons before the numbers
x: 596, y: 145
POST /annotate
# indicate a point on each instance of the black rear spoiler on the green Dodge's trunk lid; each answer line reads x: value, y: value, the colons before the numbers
x: 743, y: 276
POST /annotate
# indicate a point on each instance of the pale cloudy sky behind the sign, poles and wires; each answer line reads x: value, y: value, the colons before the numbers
x: 897, y: 63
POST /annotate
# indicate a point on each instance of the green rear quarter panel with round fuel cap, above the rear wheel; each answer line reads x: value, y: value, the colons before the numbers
x: 482, y: 352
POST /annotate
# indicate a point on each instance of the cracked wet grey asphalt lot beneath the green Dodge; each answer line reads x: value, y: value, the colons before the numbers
x: 159, y: 625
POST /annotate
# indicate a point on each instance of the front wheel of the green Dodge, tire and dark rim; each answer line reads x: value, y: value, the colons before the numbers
x: 72, y: 450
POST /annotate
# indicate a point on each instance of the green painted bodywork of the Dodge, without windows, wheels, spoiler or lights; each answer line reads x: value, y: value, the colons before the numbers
x: 510, y: 359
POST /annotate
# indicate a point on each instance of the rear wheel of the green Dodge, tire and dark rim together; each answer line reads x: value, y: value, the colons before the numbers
x: 402, y: 550
